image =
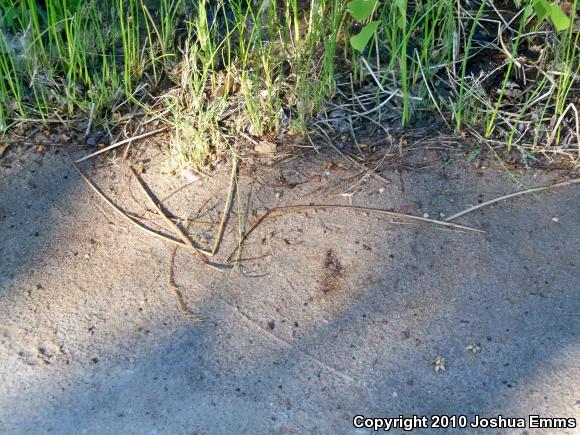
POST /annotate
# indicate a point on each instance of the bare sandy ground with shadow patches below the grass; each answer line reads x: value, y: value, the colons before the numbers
x: 336, y: 313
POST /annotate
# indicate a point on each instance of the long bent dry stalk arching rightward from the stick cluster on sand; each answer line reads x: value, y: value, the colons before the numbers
x: 298, y: 208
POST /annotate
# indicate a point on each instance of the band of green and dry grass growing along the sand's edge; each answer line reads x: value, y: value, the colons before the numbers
x: 212, y: 70
